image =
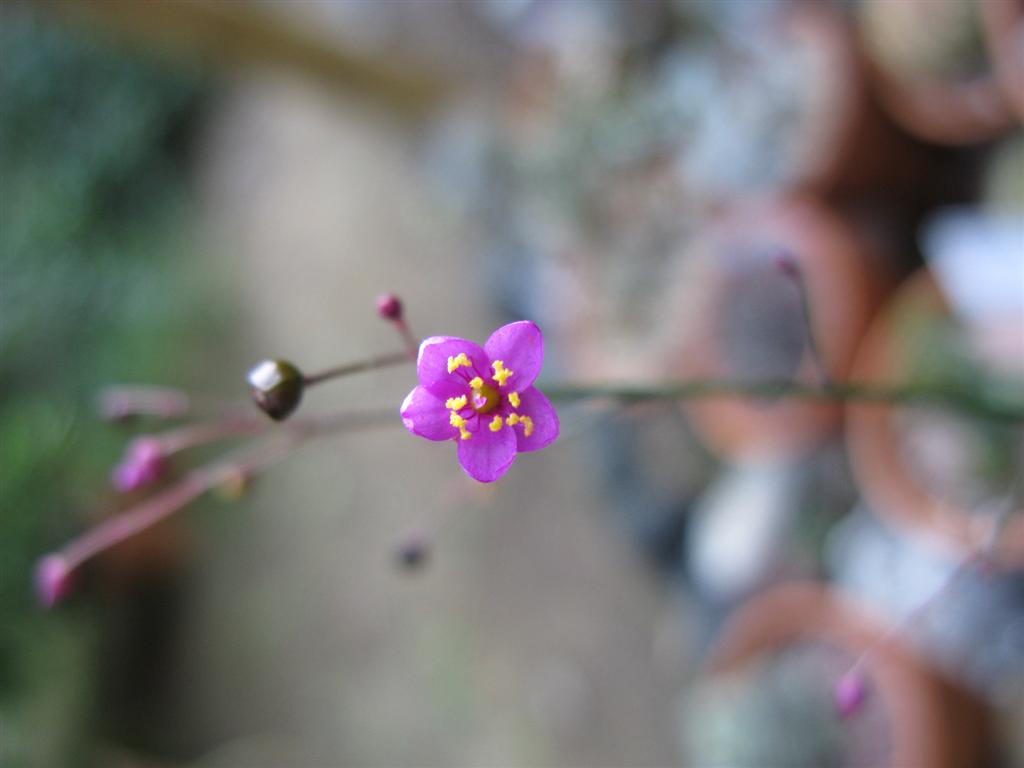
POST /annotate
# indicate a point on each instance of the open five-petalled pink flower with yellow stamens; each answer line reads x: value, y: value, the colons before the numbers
x: 484, y: 399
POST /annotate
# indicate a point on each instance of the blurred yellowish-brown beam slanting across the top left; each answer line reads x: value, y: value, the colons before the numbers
x: 234, y: 33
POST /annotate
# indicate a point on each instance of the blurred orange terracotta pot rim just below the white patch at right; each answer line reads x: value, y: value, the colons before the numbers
x: 882, y: 468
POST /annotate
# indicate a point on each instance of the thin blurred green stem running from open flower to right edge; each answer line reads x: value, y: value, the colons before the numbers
x: 972, y: 403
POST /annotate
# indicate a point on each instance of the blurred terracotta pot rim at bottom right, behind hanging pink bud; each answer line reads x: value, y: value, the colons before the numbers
x: 931, y: 722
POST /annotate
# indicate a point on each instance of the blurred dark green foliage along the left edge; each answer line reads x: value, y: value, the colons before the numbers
x: 95, y: 205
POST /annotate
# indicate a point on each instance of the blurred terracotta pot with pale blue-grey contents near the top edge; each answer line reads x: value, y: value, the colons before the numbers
x: 797, y: 108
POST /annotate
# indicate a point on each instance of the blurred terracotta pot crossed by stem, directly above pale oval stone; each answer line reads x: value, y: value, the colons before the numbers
x: 842, y: 294
